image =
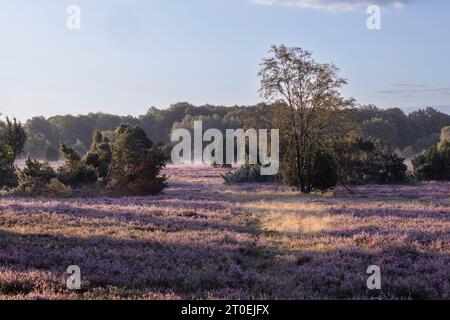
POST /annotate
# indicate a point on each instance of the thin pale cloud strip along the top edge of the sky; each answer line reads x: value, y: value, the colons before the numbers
x: 334, y: 5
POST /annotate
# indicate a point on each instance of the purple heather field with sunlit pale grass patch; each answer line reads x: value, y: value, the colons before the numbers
x: 205, y: 240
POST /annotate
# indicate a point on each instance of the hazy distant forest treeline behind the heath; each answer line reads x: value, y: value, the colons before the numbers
x: 408, y: 134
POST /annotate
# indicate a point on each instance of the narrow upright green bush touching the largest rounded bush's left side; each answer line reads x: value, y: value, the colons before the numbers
x: 99, y: 155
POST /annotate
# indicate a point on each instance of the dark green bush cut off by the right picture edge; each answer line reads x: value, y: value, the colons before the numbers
x: 433, y: 163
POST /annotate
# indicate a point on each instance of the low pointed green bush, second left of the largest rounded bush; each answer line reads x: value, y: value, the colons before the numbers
x: 75, y: 172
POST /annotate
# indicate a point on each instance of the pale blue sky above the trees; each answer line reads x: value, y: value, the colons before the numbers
x: 130, y: 55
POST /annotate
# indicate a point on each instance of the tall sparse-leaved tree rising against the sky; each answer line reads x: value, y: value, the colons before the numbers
x: 308, y: 113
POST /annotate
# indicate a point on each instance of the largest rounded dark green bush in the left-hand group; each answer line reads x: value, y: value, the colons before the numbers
x: 136, y: 163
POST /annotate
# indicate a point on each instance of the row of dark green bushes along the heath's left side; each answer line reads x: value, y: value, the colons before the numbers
x: 129, y: 166
